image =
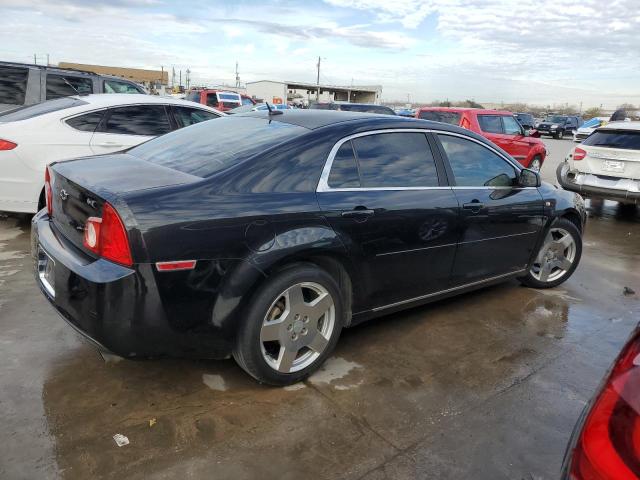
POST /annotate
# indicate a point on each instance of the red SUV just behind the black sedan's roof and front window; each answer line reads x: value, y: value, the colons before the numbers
x: 501, y: 127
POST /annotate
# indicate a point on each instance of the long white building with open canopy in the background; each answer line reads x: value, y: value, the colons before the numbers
x: 301, y: 92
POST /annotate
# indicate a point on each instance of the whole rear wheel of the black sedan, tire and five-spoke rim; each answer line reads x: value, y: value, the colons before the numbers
x: 292, y: 325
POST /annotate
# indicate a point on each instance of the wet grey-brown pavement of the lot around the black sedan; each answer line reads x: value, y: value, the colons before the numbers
x: 485, y: 385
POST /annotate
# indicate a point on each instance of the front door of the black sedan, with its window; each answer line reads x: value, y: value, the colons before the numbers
x: 500, y: 222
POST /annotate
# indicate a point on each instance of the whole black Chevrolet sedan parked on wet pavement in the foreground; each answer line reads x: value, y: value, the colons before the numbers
x: 263, y: 235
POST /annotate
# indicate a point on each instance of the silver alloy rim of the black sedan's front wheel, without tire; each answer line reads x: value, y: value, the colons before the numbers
x: 556, y: 256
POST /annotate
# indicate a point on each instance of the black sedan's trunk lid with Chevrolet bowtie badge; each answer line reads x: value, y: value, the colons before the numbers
x: 80, y: 188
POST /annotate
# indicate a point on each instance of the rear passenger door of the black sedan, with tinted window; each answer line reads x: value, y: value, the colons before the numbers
x: 384, y: 194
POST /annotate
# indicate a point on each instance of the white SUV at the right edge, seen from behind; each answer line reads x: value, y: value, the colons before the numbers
x: 606, y: 164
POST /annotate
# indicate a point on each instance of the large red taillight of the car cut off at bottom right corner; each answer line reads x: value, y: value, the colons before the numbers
x: 608, y: 447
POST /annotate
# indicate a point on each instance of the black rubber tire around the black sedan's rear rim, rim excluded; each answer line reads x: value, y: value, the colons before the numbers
x: 248, y: 348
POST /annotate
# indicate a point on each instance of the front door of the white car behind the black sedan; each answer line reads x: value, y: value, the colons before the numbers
x: 130, y: 125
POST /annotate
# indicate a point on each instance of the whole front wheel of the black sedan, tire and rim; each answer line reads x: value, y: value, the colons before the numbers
x: 557, y: 258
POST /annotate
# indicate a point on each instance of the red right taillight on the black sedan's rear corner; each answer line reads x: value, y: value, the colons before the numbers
x: 107, y: 237
